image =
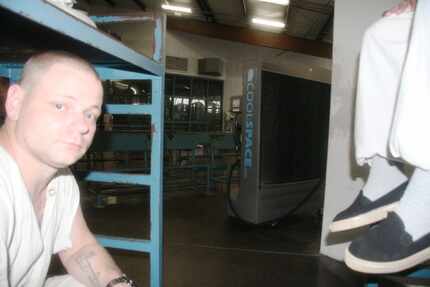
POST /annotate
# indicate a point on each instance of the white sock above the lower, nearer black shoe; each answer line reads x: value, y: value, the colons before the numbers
x: 413, y: 208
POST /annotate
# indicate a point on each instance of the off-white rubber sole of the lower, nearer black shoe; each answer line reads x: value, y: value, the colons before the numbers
x: 371, y: 267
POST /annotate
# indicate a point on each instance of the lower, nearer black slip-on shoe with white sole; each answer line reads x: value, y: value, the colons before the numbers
x: 387, y: 248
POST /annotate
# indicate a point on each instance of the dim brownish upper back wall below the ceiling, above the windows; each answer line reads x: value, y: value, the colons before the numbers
x: 234, y: 54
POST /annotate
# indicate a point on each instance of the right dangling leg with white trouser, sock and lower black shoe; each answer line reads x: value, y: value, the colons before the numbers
x: 402, y: 241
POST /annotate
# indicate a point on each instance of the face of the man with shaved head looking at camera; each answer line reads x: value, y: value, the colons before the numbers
x: 57, y: 121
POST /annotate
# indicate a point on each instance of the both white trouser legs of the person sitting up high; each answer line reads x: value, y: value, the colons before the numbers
x: 393, y: 92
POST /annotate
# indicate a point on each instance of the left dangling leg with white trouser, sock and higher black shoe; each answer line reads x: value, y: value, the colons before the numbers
x: 381, y: 61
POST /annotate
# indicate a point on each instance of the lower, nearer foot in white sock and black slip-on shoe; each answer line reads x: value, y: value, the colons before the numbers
x: 400, y: 242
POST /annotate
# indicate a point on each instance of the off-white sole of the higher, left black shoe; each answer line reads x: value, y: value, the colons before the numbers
x: 363, y: 219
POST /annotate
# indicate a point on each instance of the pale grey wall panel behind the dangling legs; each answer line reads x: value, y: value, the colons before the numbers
x: 344, y: 178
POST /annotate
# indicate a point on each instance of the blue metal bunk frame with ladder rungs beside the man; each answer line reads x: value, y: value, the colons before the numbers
x: 42, y: 26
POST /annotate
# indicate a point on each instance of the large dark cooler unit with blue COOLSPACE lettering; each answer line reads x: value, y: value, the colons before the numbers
x: 283, y: 145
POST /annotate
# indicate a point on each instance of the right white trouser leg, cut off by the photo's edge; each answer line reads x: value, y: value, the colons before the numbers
x: 410, y: 138
